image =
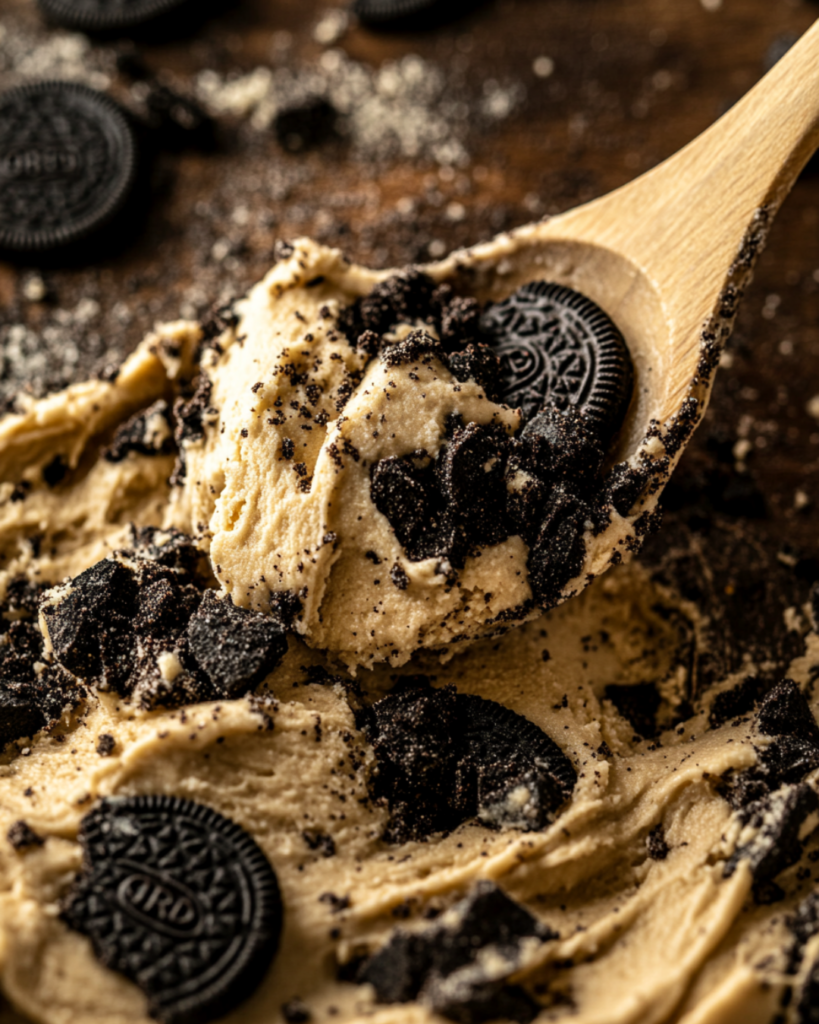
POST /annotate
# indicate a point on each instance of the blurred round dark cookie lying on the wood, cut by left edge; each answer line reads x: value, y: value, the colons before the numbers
x: 68, y: 165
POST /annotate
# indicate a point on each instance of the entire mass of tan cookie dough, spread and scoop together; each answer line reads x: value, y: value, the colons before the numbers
x: 667, y: 876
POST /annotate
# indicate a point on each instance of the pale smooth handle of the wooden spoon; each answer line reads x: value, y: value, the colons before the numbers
x: 685, y: 223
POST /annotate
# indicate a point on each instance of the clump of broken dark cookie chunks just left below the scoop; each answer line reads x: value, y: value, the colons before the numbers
x: 146, y: 624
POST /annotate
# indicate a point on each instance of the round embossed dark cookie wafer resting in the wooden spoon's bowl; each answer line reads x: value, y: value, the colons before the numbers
x: 558, y: 348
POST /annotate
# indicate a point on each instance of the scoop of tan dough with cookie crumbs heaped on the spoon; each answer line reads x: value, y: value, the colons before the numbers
x: 374, y: 474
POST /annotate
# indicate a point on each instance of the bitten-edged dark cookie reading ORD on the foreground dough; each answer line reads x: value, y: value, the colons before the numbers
x: 181, y: 901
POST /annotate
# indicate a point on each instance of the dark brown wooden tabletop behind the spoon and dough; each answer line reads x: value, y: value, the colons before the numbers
x: 634, y: 80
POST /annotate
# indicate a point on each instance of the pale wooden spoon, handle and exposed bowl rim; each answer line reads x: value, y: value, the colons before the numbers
x: 668, y: 258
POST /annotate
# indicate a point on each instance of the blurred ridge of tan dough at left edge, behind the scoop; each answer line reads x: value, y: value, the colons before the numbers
x: 65, y: 503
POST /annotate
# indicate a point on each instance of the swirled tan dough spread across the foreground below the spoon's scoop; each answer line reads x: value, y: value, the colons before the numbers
x: 652, y: 889
